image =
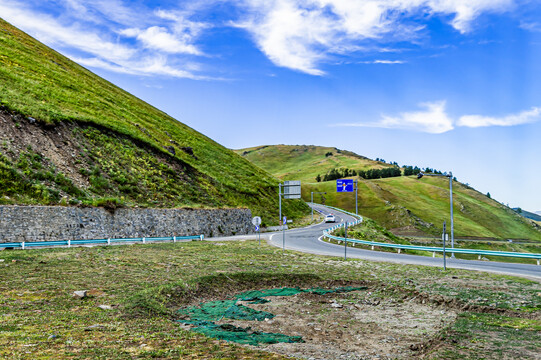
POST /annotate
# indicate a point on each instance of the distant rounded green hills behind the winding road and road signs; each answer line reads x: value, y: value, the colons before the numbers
x: 404, y: 204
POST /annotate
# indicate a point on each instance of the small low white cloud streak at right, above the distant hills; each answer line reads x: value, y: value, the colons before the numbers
x: 433, y: 118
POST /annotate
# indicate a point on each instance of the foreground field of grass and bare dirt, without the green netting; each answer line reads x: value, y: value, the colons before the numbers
x: 134, y: 292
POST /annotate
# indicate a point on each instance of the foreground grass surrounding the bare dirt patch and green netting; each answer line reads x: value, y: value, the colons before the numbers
x: 145, y: 284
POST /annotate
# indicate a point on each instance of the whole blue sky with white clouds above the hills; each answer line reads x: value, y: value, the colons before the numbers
x: 453, y: 85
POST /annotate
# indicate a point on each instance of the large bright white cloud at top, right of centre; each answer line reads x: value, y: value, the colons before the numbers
x: 300, y: 34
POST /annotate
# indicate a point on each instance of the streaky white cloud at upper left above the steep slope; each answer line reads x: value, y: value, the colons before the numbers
x: 98, y: 47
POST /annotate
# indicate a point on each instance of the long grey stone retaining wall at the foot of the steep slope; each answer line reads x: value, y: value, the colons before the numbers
x: 45, y: 223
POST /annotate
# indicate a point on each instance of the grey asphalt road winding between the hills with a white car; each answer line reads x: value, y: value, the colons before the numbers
x: 308, y: 240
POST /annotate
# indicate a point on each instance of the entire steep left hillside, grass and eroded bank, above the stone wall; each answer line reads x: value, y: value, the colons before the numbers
x: 98, y: 144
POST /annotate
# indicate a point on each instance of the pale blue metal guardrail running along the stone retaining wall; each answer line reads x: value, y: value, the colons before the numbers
x: 27, y: 244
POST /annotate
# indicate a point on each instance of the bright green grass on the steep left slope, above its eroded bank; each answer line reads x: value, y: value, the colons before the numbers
x: 38, y: 82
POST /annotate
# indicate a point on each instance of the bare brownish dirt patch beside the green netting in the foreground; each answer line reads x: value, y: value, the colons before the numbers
x: 355, y: 325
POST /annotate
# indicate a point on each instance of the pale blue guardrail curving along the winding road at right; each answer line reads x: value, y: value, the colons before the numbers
x: 328, y: 234
